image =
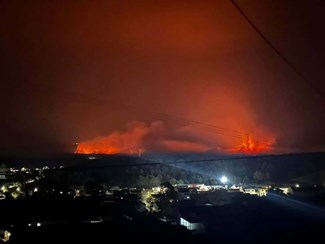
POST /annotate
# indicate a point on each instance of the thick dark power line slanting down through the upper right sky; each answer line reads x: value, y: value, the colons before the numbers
x: 269, y: 43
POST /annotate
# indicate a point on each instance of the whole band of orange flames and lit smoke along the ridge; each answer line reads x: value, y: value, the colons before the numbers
x: 139, y: 137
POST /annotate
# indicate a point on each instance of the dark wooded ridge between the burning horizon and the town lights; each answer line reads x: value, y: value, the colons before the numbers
x: 151, y: 170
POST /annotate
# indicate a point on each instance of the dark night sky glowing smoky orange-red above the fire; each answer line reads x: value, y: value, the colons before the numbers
x: 66, y: 66
